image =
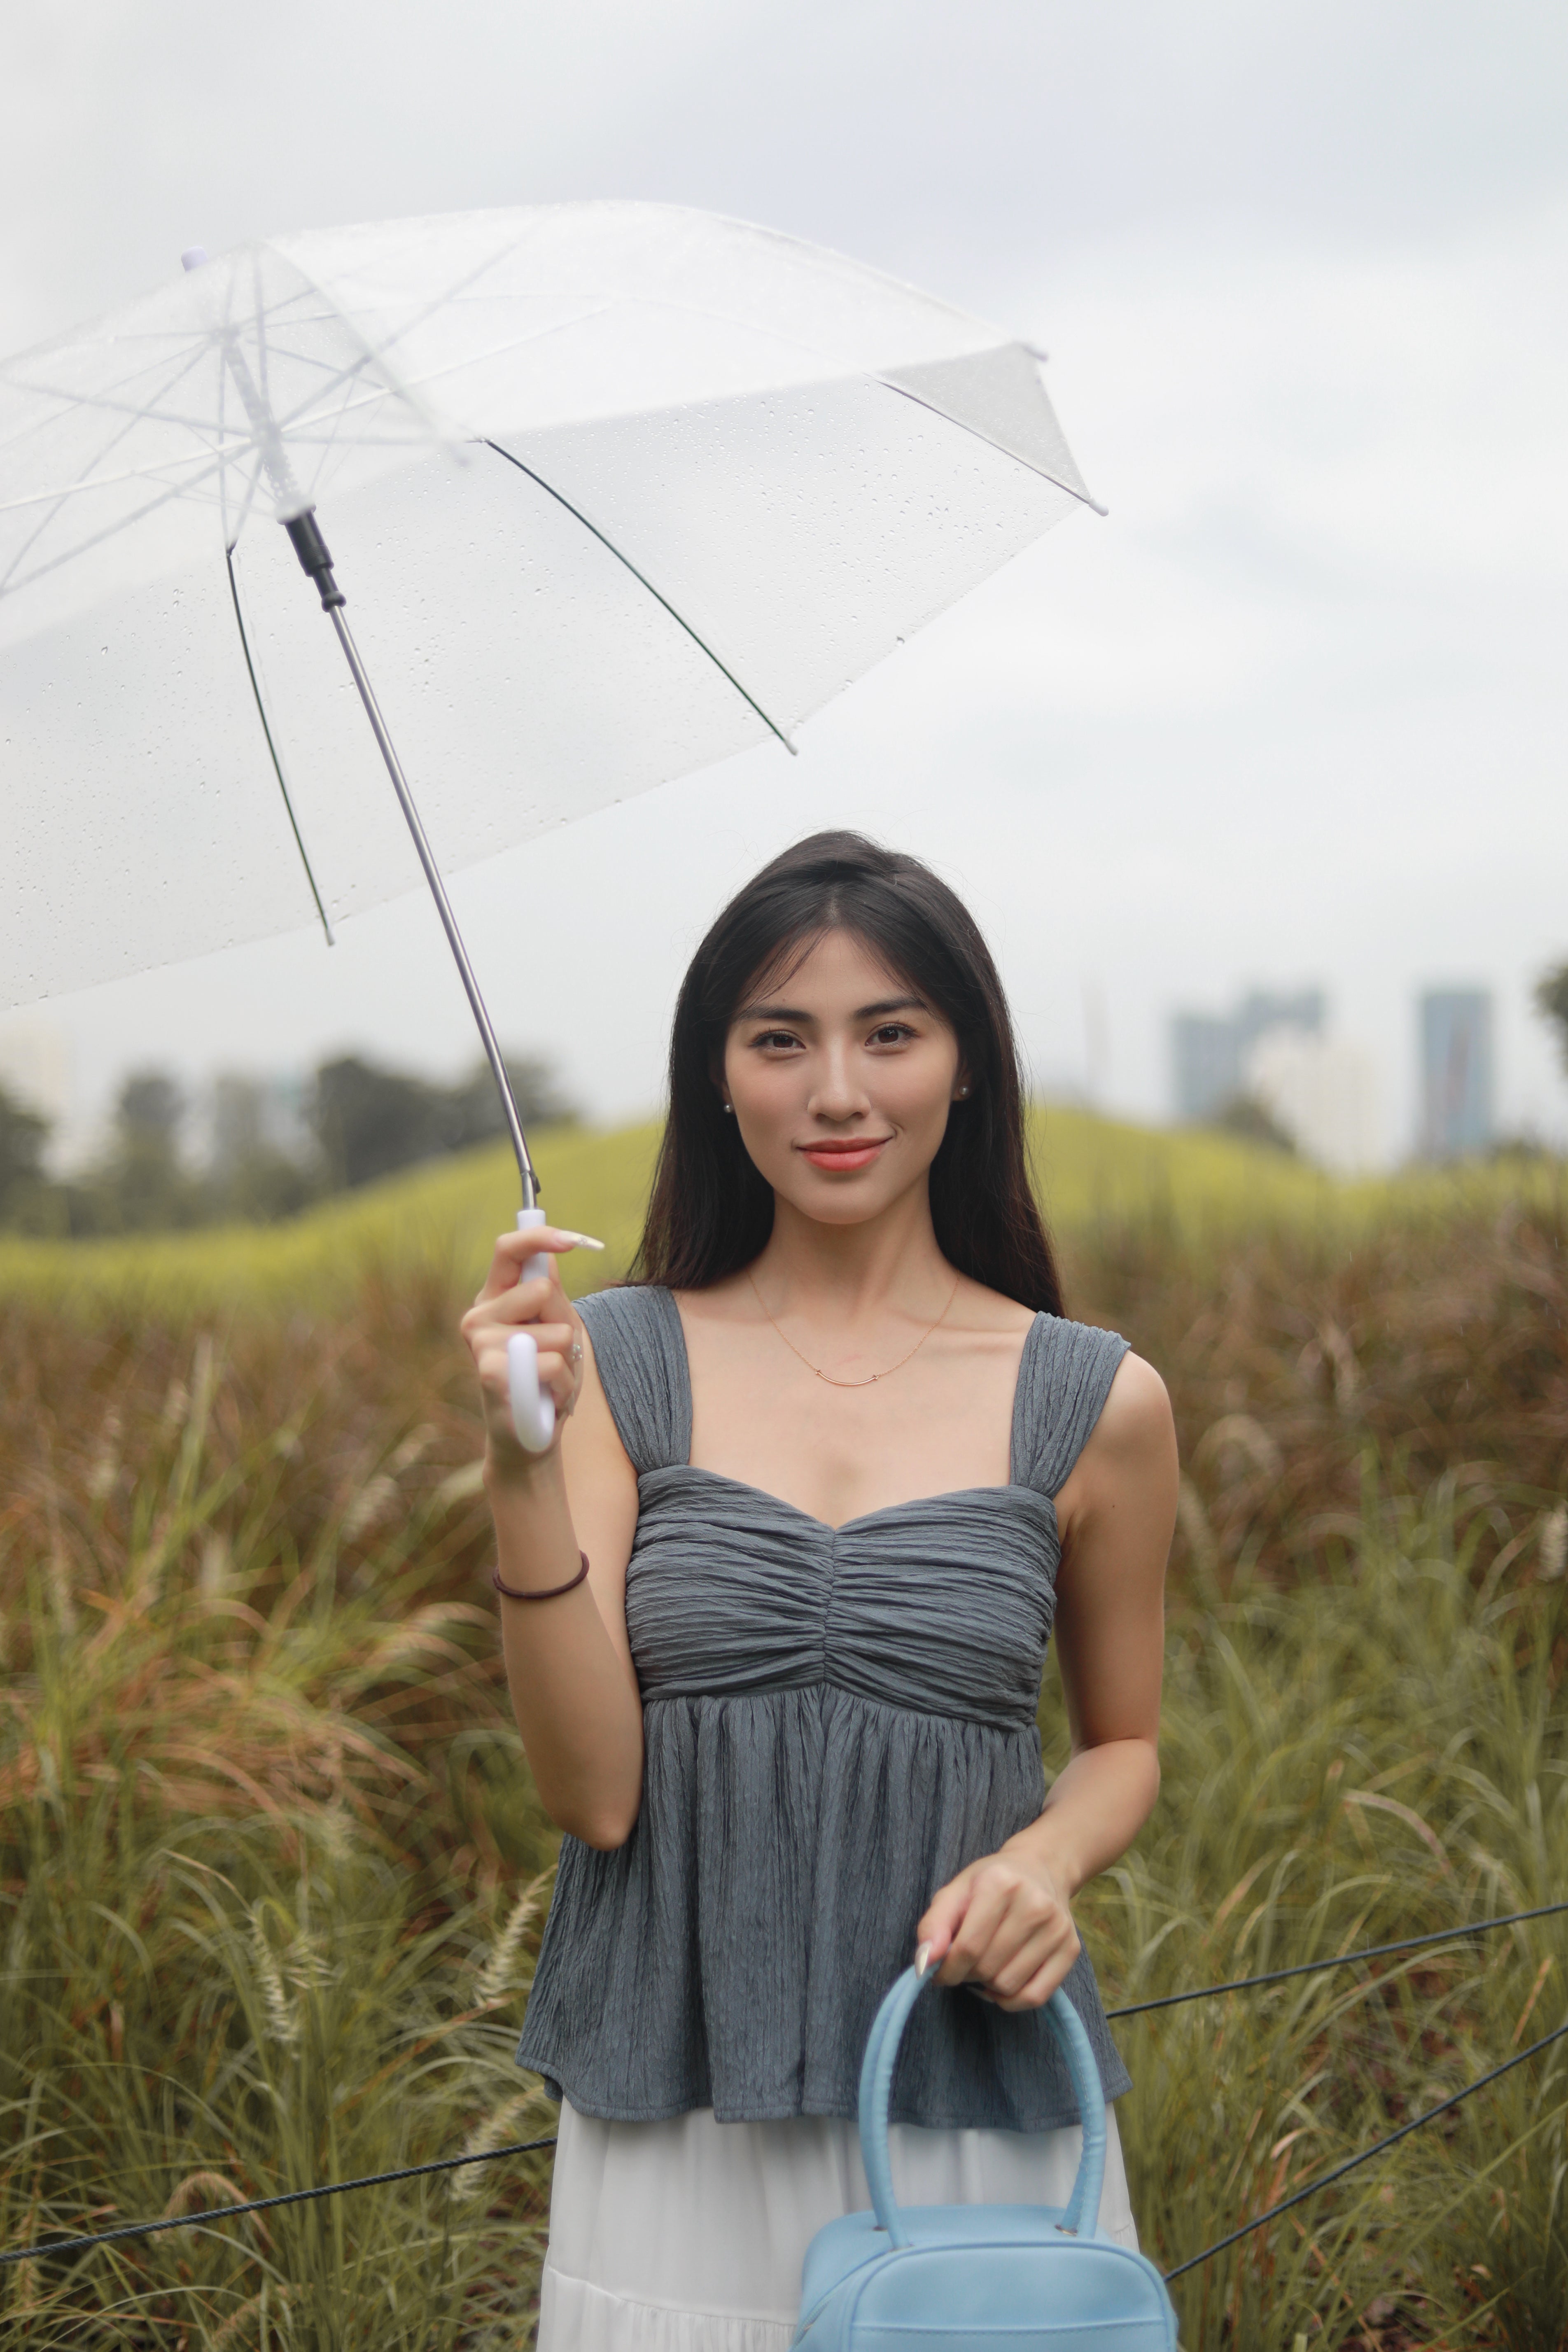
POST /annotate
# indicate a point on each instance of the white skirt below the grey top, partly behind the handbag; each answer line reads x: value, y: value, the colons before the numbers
x: 690, y: 2236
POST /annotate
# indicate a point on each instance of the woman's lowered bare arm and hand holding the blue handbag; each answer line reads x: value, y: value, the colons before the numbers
x: 1005, y: 1925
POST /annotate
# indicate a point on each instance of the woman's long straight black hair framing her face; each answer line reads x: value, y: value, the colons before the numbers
x: 711, y: 1210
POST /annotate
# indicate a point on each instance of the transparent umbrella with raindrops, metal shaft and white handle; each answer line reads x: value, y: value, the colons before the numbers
x: 617, y: 490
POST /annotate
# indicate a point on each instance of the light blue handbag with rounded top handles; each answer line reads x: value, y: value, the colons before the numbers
x: 958, y: 2278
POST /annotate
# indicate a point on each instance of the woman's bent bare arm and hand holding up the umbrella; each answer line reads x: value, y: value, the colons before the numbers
x: 568, y: 1662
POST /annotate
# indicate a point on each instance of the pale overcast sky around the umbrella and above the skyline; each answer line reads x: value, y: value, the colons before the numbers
x: 1292, y: 714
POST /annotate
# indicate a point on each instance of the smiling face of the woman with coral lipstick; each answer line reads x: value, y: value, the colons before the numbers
x: 840, y: 1078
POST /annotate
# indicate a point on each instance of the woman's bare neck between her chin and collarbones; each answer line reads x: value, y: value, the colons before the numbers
x: 852, y: 1274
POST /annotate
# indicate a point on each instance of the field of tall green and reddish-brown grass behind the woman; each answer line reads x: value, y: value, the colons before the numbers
x: 272, y: 1871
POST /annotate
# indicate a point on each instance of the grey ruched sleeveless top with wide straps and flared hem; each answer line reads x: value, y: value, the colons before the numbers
x: 838, y: 1720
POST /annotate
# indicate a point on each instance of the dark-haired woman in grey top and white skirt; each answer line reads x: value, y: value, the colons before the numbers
x: 777, y: 1610
